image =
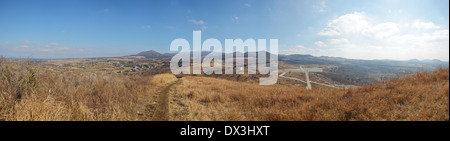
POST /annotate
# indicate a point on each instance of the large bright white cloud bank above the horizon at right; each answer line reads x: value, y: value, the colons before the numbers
x: 355, y: 36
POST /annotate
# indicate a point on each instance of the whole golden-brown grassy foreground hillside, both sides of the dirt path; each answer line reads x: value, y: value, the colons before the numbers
x: 29, y: 92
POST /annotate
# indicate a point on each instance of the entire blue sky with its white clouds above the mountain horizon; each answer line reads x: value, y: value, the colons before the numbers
x: 359, y: 29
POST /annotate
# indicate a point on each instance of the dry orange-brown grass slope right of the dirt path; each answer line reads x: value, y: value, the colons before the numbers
x: 420, y: 97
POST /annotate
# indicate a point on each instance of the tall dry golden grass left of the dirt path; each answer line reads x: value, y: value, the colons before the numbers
x: 29, y: 95
